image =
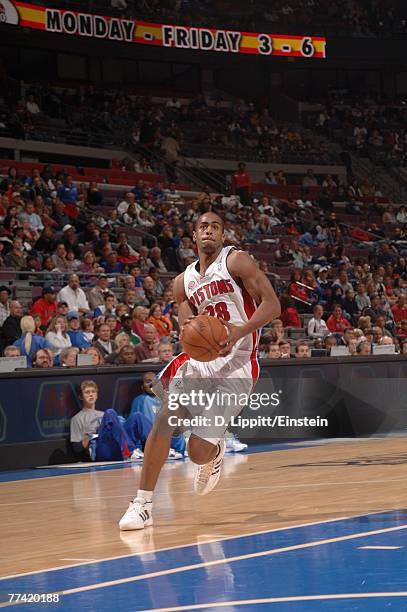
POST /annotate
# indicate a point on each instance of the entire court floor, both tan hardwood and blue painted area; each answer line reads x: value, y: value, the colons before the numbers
x: 304, y: 527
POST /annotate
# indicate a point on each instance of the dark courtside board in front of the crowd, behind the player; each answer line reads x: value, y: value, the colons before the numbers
x: 359, y: 398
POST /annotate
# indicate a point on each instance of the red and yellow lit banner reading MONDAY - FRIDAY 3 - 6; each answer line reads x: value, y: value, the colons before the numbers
x: 76, y: 23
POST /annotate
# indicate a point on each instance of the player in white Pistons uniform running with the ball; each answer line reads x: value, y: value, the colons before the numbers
x: 228, y: 284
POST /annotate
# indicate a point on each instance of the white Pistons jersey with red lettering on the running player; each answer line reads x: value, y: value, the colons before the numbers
x: 217, y: 293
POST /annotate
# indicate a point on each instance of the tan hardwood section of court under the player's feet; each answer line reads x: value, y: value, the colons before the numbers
x: 72, y: 519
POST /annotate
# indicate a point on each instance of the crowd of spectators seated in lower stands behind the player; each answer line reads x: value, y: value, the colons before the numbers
x: 99, y: 289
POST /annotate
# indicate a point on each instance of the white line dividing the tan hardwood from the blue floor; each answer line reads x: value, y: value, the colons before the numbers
x: 222, y: 539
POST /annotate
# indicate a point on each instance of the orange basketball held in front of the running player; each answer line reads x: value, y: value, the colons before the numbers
x: 202, y: 338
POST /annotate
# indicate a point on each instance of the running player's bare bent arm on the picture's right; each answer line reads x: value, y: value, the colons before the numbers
x: 243, y: 267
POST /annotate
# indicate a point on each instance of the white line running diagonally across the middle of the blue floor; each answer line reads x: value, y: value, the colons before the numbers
x: 226, y: 560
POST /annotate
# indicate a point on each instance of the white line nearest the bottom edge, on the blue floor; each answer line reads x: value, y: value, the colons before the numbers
x: 264, y: 600
